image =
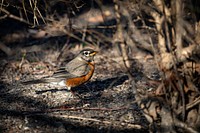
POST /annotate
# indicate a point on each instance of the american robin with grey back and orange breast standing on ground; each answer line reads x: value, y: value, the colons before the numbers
x: 76, y: 72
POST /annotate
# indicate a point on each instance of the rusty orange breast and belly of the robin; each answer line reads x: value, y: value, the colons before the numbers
x: 80, y: 80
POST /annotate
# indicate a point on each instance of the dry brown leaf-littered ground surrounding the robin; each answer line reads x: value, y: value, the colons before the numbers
x: 107, y: 104
